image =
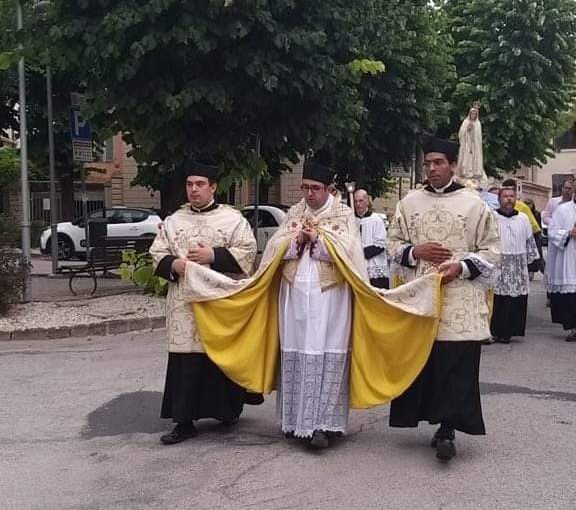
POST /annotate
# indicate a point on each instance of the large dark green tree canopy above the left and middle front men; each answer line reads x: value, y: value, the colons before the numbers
x: 185, y: 78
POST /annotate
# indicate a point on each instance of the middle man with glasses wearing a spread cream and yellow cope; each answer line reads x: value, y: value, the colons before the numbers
x: 310, y: 325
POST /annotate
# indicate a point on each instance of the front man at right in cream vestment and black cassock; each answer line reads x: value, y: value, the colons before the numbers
x: 449, y: 228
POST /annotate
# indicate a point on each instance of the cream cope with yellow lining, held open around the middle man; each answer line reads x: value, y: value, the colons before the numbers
x: 392, y: 331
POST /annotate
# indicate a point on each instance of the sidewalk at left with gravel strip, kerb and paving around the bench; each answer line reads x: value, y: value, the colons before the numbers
x: 54, y: 312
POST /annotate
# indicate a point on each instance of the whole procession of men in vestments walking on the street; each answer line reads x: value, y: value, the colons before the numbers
x: 342, y: 313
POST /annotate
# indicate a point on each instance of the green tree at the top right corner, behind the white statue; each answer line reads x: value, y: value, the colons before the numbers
x: 518, y: 58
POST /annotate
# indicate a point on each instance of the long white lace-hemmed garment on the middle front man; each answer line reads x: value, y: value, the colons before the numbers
x: 315, y: 328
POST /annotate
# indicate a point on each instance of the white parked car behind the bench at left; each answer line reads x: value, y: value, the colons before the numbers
x: 120, y: 222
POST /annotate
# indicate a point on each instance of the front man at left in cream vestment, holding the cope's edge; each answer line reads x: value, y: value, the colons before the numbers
x: 219, y: 239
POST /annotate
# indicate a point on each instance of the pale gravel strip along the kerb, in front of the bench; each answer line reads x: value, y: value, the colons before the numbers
x: 85, y: 311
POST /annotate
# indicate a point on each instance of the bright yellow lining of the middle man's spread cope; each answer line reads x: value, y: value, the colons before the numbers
x: 389, y: 346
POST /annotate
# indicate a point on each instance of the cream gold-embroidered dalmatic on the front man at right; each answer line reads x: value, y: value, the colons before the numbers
x: 460, y: 221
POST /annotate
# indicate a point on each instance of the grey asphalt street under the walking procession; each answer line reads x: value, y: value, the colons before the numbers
x: 79, y: 430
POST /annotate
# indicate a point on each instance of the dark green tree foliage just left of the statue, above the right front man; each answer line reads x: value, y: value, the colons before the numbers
x: 406, y: 100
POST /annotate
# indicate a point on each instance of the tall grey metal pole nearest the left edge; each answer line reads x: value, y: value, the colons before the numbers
x: 25, y: 189
